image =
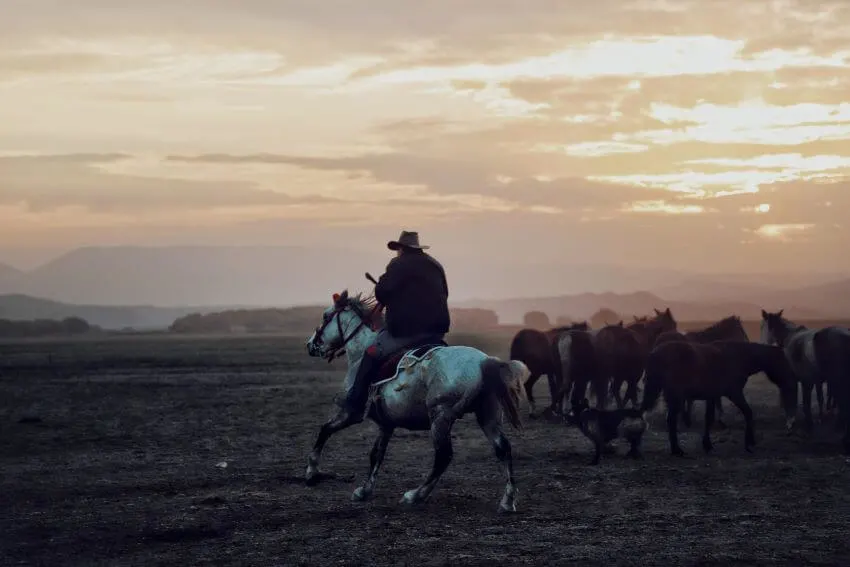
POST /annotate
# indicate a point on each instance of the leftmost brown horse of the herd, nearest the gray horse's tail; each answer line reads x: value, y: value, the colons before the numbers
x: 539, y: 351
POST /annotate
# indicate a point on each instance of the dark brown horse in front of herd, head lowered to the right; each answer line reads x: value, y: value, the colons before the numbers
x: 683, y: 370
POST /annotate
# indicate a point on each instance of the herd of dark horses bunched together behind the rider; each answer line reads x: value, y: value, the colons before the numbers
x: 707, y: 364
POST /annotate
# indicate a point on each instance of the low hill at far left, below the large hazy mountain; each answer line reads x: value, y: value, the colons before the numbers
x: 141, y: 317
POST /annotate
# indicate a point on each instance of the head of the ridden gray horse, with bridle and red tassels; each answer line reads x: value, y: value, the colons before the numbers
x: 341, y: 322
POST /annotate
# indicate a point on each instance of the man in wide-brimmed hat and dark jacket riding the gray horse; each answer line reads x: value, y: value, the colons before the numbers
x: 414, y: 293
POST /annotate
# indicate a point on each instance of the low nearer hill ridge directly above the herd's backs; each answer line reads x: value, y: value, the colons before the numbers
x: 582, y: 306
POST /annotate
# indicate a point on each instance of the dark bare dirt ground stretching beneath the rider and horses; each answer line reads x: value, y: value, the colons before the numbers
x: 111, y: 453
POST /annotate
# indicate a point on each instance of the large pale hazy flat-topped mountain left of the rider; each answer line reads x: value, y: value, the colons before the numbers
x: 178, y: 276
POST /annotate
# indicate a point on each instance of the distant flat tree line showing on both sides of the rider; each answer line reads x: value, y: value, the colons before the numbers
x: 301, y: 320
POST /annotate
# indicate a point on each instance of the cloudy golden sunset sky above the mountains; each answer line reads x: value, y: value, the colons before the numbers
x: 710, y: 135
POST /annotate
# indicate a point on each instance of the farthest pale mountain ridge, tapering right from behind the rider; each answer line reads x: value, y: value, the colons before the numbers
x: 292, y: 275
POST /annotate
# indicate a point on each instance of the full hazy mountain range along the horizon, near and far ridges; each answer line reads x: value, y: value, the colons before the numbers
x: 149, y: 287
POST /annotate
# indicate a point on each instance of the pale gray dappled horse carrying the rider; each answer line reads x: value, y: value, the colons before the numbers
x: 427, y: 393
